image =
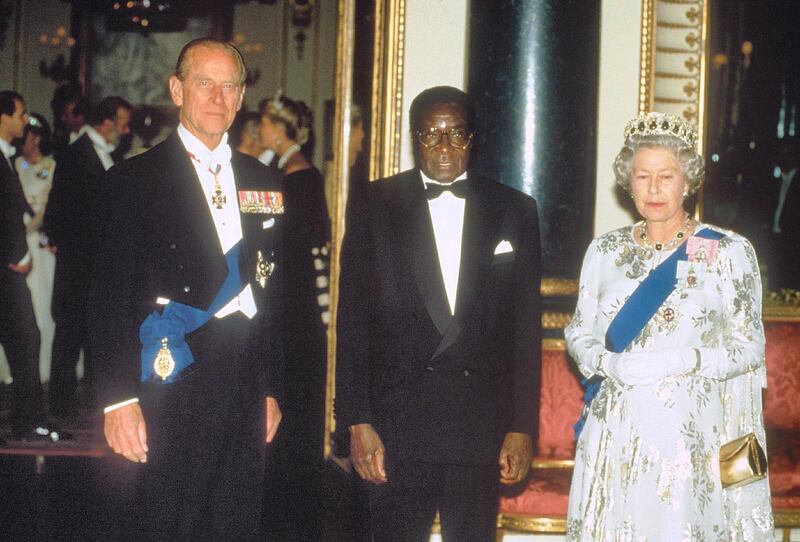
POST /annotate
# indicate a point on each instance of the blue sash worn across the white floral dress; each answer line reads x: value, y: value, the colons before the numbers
x: 643, y: 303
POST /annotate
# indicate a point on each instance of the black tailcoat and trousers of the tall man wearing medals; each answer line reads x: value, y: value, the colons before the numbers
x: 157, y: 239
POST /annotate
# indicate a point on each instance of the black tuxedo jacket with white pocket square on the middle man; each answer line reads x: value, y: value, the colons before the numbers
x: 439, y: 387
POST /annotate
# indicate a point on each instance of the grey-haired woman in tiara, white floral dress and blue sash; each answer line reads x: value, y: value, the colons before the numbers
x: 678, y: 372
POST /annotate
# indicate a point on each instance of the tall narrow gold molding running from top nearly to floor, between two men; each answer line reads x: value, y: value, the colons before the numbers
x: 343, y: 96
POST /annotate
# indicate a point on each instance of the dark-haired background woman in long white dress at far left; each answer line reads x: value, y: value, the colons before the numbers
x: 35, y: 169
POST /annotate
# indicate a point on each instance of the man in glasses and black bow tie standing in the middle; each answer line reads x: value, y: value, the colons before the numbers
x: 438, y: 362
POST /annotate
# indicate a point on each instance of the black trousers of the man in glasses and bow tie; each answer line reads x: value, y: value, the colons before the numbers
x: 466, y: 497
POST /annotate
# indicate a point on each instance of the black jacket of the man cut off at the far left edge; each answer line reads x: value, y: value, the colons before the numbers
x: 13, y: 206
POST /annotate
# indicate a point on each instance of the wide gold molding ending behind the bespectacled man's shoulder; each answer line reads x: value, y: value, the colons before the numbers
x: 387, y: 88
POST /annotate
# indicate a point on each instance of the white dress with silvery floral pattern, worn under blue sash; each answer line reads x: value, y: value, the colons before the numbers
x: 647, y: 460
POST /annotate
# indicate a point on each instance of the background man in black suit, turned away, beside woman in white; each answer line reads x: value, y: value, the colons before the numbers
x: 71, y: 208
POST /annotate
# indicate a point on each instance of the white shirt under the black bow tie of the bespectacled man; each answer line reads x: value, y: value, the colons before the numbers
x: 447, y: 217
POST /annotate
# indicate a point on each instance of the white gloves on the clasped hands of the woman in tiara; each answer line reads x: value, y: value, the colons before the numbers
x: 650, y: 367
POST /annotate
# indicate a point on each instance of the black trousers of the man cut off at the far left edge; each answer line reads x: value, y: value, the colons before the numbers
x: 19, y: 336
